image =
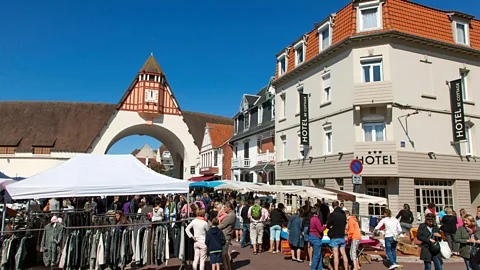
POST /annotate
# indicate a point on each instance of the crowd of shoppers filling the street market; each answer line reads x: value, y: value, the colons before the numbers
x: 220, y: 219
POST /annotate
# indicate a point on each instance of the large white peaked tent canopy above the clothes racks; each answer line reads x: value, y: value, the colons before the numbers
x: 89, y: 175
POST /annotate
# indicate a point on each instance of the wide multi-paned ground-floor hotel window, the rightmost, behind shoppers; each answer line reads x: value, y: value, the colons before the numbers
x: 440, y: 192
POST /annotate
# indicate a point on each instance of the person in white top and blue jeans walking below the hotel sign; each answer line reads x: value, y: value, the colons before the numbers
x: 391, y: 228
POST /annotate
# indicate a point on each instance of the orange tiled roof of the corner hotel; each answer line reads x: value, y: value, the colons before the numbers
x: 398, y: 15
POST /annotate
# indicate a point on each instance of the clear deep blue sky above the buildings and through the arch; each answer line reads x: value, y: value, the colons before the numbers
x: 211, y: 51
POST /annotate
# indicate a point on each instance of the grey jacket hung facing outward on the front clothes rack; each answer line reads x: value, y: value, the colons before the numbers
x: 51, y: 243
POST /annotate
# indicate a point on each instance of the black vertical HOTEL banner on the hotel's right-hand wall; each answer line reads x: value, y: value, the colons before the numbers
x: 458, y: 114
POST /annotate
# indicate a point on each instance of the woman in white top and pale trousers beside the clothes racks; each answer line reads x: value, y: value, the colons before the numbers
x: 200, y: 228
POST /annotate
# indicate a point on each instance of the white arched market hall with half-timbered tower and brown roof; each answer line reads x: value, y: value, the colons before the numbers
x: 37, y: 136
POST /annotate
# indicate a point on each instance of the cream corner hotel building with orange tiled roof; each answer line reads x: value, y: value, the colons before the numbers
x: 380, y: 95
